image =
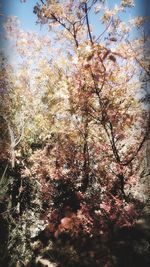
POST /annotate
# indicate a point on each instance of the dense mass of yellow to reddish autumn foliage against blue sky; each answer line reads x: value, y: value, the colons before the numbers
x: 75, y: 133
